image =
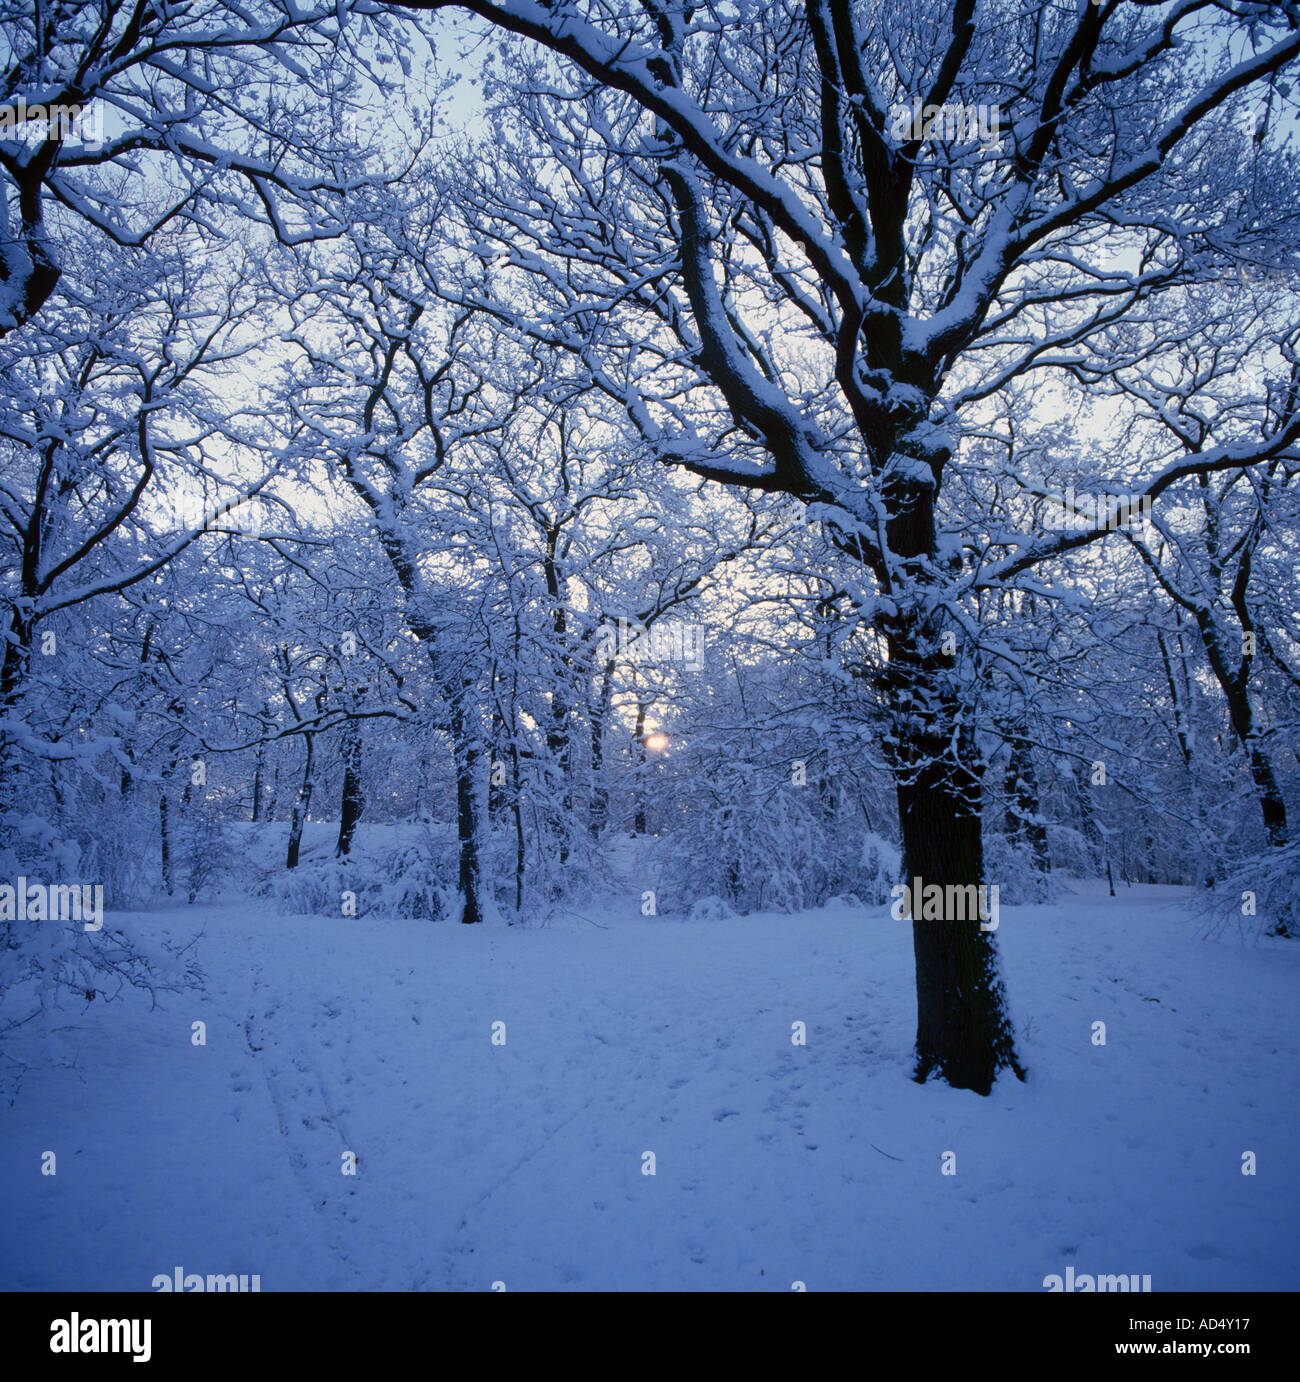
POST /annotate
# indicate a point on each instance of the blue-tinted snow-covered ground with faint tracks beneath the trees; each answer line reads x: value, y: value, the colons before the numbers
x: 776, y: 1164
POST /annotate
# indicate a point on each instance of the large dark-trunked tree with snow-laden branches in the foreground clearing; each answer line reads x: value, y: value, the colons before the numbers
x: 803, y: 243
